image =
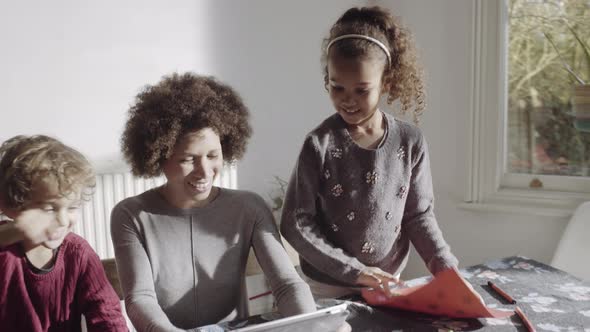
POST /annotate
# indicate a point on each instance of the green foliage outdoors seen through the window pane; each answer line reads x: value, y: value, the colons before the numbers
x: 546, y: 40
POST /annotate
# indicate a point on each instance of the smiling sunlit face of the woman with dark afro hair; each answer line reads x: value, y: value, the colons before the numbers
x: 196, y: 161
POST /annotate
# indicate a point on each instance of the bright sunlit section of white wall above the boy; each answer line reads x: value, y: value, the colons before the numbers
x: 71, y: 68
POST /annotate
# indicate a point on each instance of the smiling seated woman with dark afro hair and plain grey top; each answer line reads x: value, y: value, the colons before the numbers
x: 181, y: 248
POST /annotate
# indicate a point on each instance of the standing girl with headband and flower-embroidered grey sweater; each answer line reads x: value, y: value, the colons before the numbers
x: 361, y: 190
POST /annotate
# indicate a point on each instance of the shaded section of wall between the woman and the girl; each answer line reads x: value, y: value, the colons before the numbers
x: 270, y: 52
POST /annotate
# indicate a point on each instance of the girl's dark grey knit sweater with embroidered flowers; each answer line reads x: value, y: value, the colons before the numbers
x: 348, y: 207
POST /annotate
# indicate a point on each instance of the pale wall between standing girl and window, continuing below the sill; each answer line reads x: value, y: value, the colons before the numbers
x: 443, y: 32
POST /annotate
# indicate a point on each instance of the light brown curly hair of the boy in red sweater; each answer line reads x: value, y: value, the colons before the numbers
x: 26, y: 159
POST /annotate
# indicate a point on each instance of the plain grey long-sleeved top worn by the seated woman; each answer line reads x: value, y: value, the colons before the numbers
x: 183, y: 268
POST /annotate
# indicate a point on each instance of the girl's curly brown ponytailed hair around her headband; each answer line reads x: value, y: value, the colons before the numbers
x: 403, y: 77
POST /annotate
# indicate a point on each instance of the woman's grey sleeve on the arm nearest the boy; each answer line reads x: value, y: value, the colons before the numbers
x: 135, y: 274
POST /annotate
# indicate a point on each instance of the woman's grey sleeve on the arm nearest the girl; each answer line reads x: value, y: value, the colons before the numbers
x: 292, y: 294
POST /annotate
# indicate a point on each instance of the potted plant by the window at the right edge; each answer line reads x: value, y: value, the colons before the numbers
x: 581, y: 90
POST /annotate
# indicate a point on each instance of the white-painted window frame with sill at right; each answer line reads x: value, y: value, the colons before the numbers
x: 490, y: 186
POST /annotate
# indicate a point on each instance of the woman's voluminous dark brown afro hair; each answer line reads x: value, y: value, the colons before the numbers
x: 179, y: 104
